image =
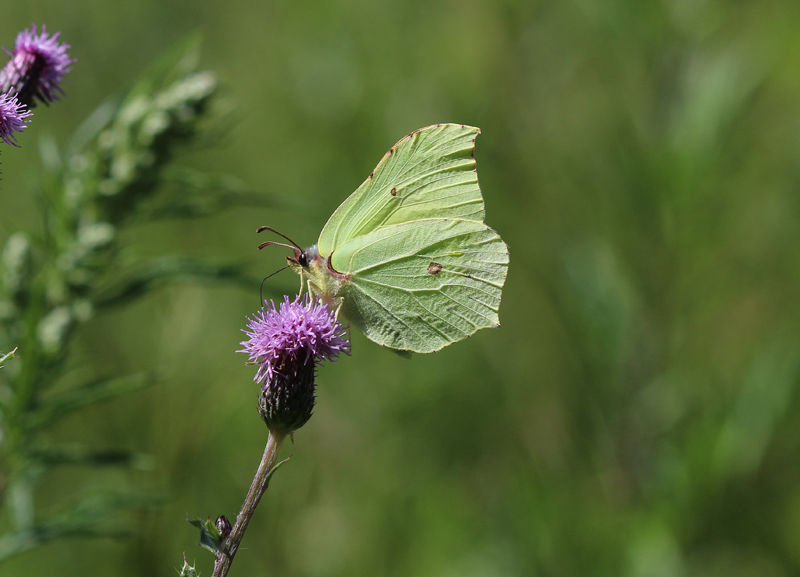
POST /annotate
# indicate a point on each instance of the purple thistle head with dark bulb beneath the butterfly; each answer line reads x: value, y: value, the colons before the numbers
x: 287, y: 343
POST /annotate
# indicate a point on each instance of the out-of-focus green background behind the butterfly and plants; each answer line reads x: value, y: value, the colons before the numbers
x: 636, y: 414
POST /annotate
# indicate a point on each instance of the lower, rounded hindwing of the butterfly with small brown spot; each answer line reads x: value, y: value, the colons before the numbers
x: 421, y: 285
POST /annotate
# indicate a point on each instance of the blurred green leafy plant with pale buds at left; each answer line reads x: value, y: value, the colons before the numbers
x: 52, y: 285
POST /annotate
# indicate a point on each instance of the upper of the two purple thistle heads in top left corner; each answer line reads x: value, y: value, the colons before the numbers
x: 36, y: 68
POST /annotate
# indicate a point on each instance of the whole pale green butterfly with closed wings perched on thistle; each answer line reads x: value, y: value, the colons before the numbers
x: 406, y: 258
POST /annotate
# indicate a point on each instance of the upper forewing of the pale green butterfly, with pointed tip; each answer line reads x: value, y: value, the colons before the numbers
x: 430, y: 173
